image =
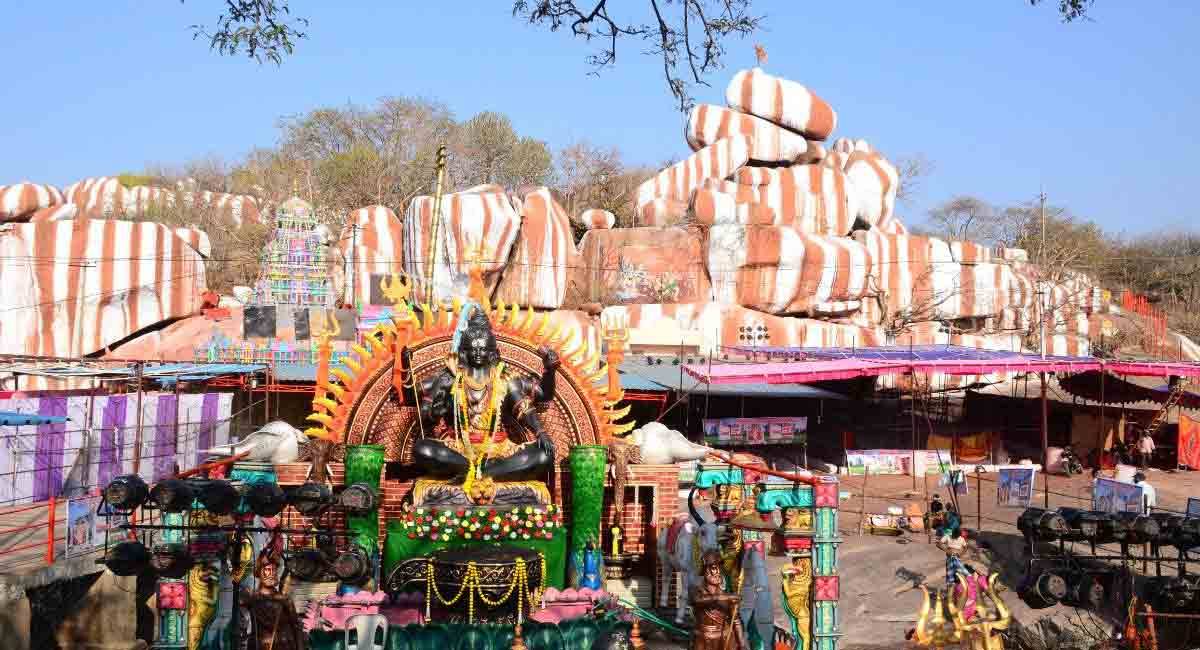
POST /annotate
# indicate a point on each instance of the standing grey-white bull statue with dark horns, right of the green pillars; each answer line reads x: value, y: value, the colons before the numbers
x: 681, y: 547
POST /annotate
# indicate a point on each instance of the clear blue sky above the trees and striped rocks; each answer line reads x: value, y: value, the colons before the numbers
x: 1000, y: 95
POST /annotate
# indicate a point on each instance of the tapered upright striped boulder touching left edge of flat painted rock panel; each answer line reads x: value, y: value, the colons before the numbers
x: 538, y: 269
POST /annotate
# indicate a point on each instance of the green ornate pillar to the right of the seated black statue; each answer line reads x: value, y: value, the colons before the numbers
x: 589, y: 464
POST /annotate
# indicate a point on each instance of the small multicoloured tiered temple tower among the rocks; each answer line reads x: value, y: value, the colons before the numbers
x: 295, y: 263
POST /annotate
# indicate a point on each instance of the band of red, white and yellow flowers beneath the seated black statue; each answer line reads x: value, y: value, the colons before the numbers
x: 485, y: 525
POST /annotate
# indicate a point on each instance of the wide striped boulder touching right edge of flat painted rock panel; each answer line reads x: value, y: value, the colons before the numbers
x: 783, y: 270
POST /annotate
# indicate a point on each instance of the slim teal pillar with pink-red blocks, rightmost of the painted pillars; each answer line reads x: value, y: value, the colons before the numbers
x: 826, y: 628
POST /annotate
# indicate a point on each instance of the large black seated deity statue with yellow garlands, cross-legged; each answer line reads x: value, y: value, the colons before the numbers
x: 472, y: 404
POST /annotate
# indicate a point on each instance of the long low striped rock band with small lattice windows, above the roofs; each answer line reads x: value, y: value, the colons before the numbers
x: 712, y: 327
